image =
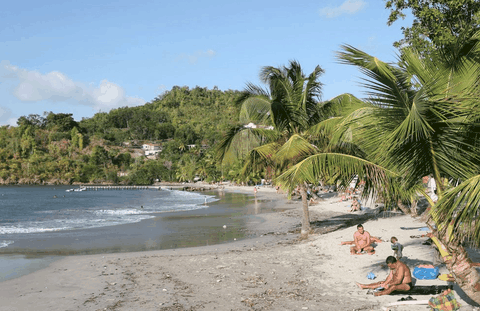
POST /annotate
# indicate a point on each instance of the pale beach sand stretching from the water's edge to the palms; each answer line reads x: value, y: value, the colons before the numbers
x: 275, y: 271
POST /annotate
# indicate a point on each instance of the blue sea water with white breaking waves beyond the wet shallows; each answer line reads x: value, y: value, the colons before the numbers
x: 28, y: 210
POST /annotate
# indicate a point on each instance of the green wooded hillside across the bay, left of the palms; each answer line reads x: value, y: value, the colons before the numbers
x: 185, y: 123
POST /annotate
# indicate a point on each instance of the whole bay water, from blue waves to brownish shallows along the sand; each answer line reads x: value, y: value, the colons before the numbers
x: 40, y: 224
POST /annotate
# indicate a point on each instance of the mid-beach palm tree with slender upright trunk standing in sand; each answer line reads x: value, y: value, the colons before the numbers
x: 278, y: 125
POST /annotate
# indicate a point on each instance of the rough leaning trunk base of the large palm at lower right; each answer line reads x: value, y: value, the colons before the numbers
x: 462, y: 269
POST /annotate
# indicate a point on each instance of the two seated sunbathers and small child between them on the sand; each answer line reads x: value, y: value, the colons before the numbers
x: 400, y: 277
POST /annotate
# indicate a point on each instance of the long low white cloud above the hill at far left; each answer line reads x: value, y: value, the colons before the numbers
x: 33, y: 86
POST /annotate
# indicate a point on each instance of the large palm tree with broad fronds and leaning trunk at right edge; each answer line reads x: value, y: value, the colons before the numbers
x: 422, y: 119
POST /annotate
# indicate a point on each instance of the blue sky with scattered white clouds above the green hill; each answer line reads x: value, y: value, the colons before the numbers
x: 84, y: 57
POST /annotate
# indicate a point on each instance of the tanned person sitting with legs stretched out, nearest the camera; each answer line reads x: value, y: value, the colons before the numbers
x: 399, y: 279
